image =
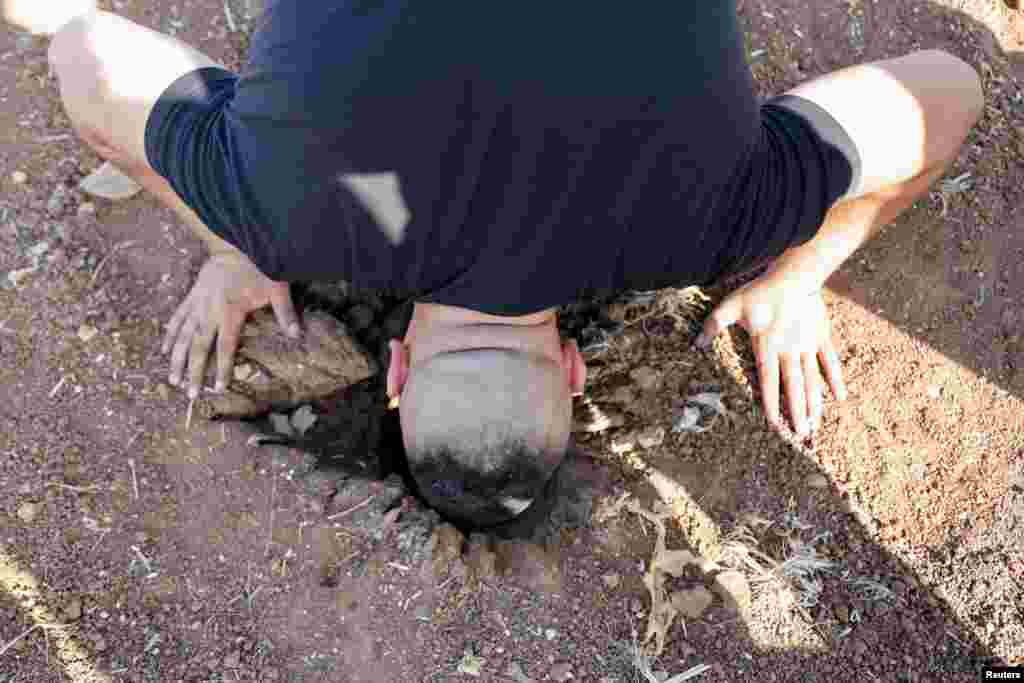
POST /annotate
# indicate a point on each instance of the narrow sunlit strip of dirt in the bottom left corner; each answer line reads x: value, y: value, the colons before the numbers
x: 26, y: 590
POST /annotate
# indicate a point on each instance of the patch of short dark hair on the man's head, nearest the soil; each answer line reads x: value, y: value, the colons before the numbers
x: 482, y: 489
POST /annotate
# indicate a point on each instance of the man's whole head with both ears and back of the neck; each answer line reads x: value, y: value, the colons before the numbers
x: 486, y: 409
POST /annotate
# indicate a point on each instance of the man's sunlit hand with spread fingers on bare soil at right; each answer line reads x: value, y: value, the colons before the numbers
x: 790, y: 330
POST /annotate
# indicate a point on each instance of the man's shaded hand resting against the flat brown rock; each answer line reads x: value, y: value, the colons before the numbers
x: 228, y: 289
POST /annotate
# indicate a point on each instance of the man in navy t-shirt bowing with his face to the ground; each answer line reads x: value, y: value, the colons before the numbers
x: 494, y: 162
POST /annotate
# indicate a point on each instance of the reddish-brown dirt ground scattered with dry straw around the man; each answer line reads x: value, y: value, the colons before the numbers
x: 139, y: 545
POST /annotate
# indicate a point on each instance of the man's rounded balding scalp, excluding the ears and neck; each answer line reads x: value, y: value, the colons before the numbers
x: 485, y: 430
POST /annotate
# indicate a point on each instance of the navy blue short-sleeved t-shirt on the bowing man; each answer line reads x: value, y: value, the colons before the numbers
x: 501, y: 157
